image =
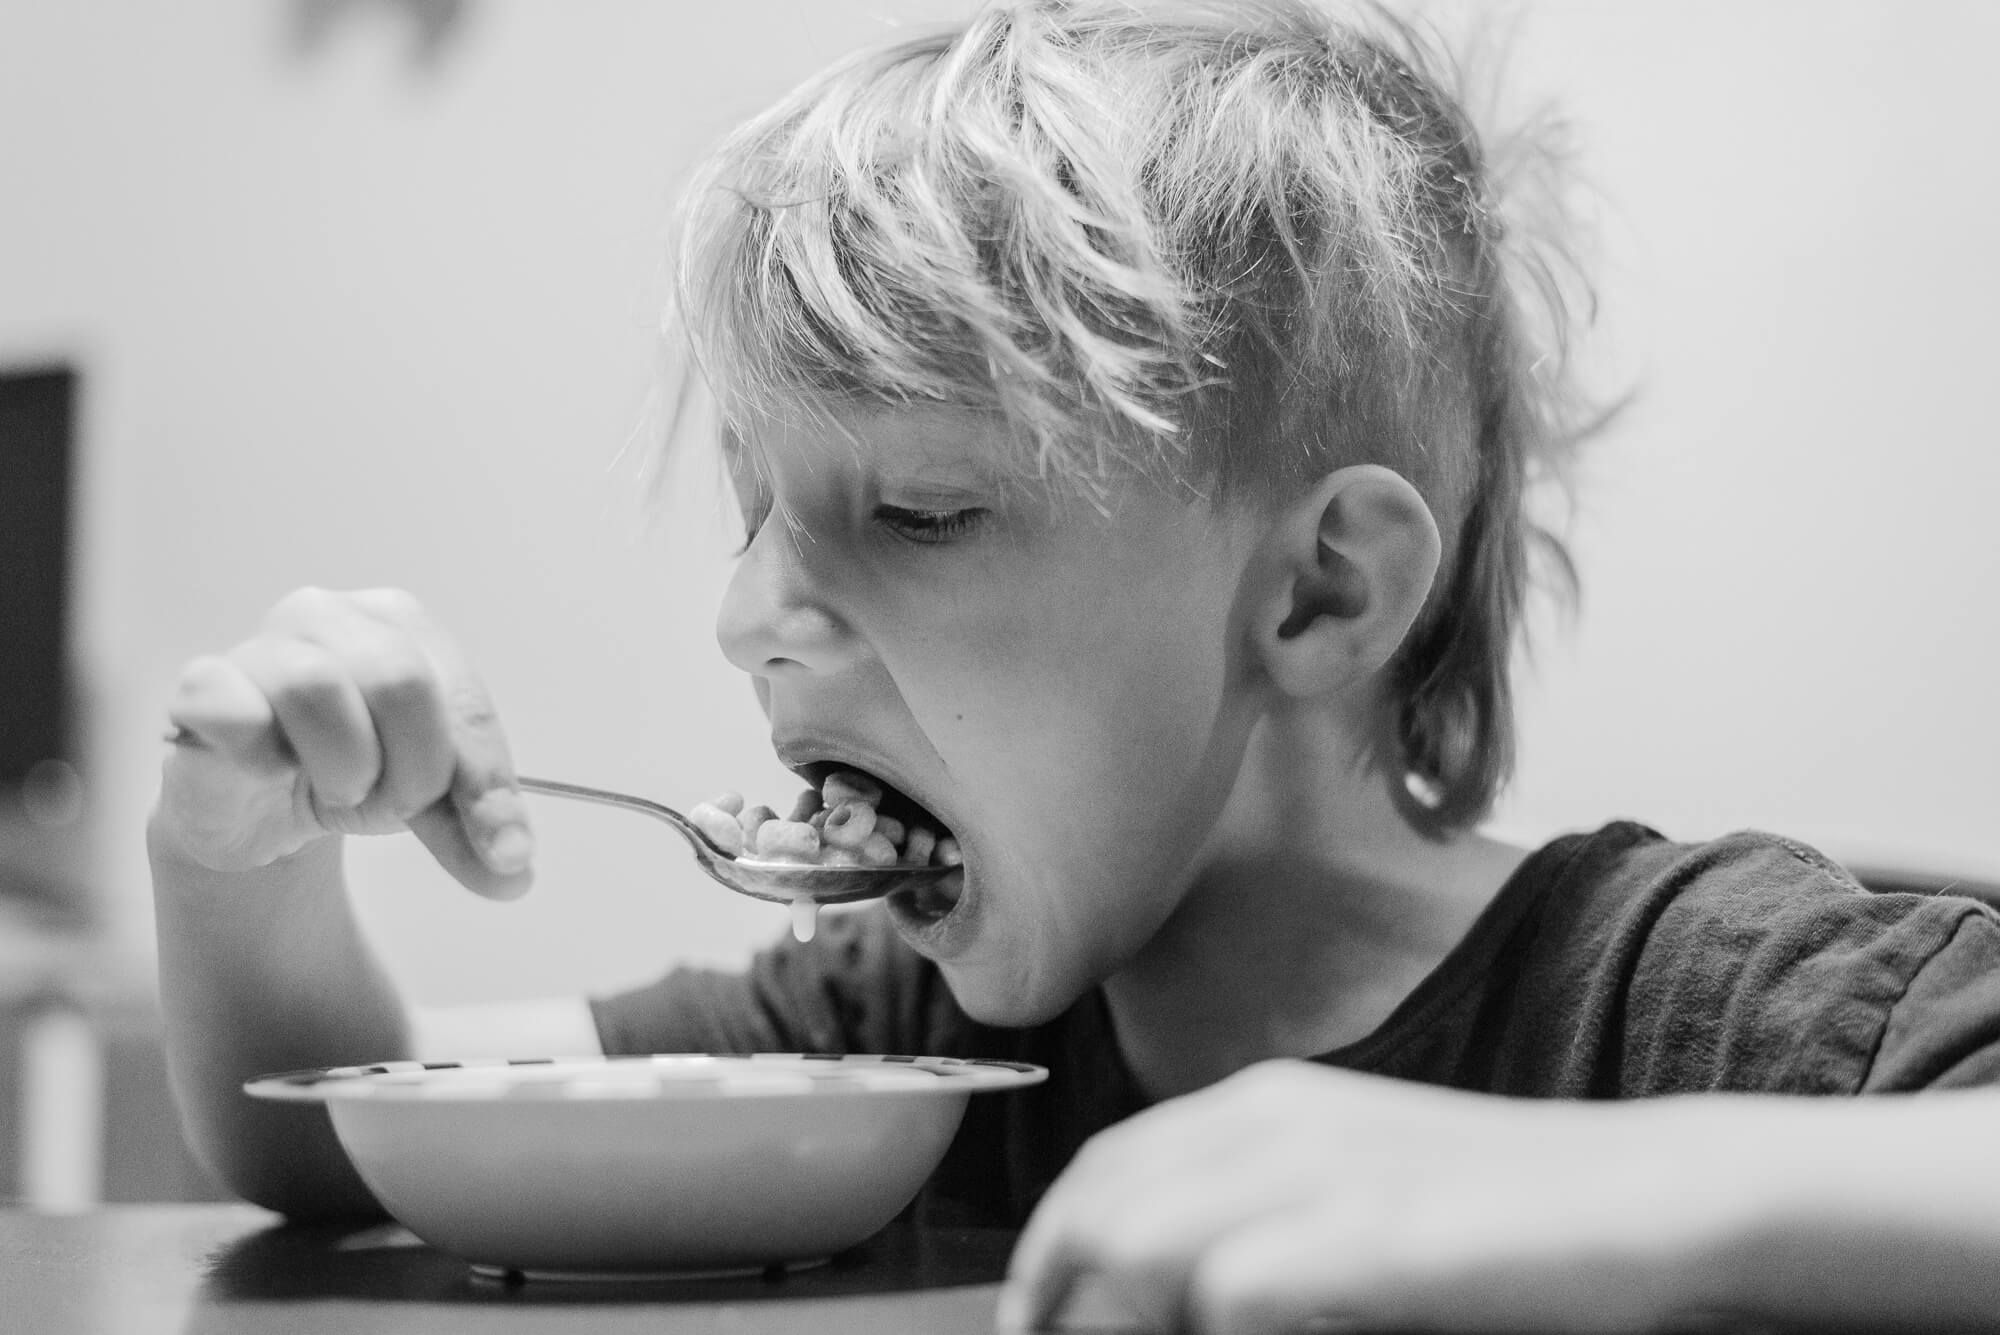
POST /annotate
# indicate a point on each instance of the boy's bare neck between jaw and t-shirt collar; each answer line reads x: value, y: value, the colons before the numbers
x: 1315, y: 912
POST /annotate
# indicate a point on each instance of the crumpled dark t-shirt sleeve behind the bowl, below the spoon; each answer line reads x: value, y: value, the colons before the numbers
x: 853, y: 988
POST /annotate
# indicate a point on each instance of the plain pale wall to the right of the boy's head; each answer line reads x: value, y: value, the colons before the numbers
x: 1791, y: 557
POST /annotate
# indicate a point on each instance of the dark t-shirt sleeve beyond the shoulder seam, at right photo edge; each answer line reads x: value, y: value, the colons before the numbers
x: 1945, y: 1030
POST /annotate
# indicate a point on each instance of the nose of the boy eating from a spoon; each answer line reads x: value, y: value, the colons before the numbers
x: 773, y: 621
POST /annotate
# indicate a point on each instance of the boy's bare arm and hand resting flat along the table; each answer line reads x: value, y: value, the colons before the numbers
x: 1303, y: 1194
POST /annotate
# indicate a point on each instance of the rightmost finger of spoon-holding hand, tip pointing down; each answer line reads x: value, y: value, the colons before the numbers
x: 481, y: 830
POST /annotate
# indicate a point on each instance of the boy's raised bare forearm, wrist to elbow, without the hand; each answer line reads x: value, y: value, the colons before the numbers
x: 267, y: 972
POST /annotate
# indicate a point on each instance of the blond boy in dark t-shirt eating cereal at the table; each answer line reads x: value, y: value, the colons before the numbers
x: 1131, y: 411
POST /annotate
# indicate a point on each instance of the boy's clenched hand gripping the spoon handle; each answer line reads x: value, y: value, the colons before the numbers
x: 345, y: 714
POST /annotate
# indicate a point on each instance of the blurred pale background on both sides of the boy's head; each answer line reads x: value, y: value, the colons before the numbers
x: 365, y: 293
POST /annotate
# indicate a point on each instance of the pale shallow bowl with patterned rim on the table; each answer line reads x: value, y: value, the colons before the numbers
x: 645, y: 1166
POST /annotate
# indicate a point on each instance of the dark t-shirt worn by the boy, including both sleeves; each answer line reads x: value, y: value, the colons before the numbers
x: 1613, y: 964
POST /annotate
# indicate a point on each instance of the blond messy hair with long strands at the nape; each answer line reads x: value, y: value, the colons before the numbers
x: 1229, y: 247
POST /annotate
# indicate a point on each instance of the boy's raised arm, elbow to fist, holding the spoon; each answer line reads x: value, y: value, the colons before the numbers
x: 343, y: 714
